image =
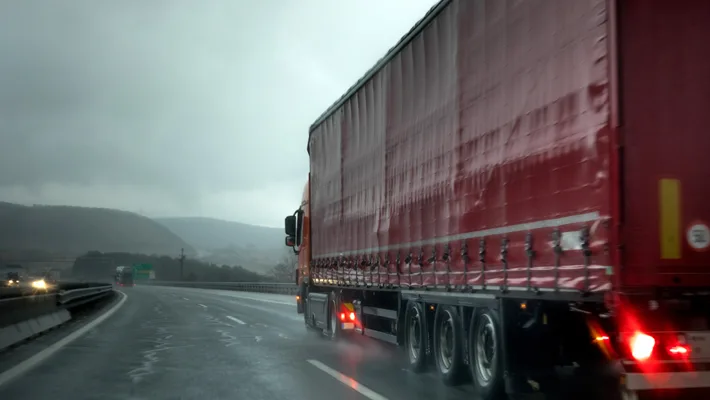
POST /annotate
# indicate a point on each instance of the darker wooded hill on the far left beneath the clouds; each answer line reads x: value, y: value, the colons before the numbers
x: 70, y: 230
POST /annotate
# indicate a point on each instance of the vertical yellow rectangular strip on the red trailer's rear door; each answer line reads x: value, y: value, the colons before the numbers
x: 669, y: 218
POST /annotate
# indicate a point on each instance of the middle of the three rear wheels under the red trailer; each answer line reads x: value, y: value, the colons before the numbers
x: 448, y: 346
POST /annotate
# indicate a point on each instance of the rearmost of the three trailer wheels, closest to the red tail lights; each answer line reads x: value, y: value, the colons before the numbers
x: 485, y: 355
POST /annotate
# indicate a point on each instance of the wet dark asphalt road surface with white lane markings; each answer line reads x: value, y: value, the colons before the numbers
x: 180, y: 343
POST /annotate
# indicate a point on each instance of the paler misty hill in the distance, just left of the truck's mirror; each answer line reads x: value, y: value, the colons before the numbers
x: 256, y: 248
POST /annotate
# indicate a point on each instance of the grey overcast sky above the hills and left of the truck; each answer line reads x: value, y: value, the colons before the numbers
x: 177, y: 107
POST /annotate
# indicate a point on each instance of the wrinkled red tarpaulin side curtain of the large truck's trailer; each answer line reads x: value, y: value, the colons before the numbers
x: 485, y: 137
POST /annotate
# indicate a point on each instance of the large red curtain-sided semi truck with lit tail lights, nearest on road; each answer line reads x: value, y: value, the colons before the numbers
x: 518, y: 188
